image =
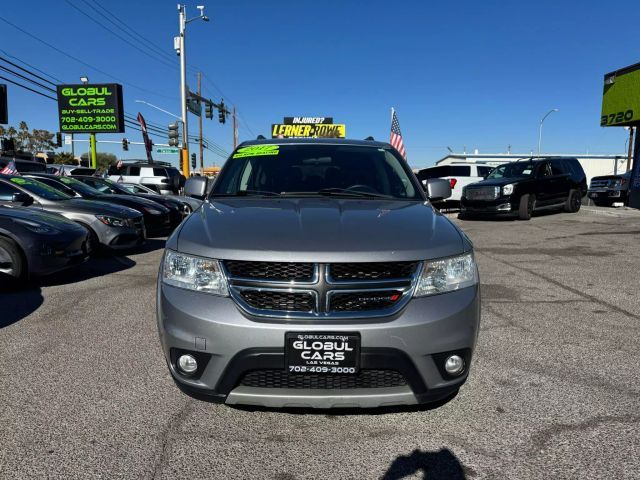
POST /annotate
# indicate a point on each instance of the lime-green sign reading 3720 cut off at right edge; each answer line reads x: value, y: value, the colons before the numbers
x: 621, y: 97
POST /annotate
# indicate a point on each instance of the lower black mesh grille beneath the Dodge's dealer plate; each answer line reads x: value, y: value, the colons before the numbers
x: 283, y: 379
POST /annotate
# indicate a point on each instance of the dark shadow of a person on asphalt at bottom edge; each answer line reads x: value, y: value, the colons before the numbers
x: 433, y: 466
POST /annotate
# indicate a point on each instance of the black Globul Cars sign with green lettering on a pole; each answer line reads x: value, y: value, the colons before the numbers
x: 91, y: 108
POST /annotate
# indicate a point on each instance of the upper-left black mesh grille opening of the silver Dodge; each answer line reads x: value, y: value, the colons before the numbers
x: 275, y: 271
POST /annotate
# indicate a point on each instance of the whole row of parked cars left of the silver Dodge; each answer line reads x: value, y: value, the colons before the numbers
x: 49, y: 222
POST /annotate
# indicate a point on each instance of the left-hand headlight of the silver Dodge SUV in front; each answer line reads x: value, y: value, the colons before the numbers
x: 193, y: 273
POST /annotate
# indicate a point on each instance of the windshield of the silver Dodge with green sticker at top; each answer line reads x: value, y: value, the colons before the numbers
x: 313, y: 170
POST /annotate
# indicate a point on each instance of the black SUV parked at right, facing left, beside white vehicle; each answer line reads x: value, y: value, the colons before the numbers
x: 519, y: 188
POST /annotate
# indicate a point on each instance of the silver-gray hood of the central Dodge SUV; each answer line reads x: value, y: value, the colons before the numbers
x: 318, y: 230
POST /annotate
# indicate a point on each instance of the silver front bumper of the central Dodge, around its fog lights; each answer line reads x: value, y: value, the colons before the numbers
x: 231, y: 344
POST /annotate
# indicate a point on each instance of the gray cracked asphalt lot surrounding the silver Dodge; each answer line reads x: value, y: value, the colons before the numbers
x: 554, y: 391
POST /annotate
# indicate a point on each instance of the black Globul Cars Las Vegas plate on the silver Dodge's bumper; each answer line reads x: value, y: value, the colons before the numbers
x: 332, y: 353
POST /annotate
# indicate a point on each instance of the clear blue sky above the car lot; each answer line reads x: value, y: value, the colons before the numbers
x: 466, y: 73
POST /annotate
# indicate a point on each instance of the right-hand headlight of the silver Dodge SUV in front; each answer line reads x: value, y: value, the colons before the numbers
x: 446, y: 275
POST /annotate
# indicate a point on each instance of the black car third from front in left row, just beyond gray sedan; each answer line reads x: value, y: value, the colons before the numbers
x: 157, y: 219
